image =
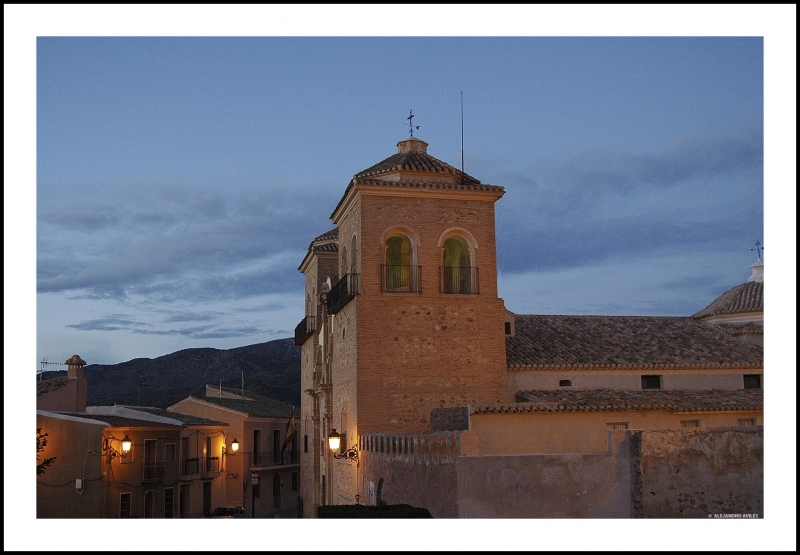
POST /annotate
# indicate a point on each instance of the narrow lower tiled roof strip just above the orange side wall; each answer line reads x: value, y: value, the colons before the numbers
x: 593, y: 400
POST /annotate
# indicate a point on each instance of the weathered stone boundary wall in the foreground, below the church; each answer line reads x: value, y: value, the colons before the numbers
x: 644, y: 474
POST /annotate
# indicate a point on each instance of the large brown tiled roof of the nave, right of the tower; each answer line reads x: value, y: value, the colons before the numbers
x: 625, y: 342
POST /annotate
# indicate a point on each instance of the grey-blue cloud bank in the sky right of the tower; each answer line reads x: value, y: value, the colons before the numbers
x: 701, y: 193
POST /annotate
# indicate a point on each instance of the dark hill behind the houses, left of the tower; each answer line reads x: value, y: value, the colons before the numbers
x: 271, y: 369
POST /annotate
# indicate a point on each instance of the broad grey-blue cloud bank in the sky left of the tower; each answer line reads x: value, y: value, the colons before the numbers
x: 182, y: 243
